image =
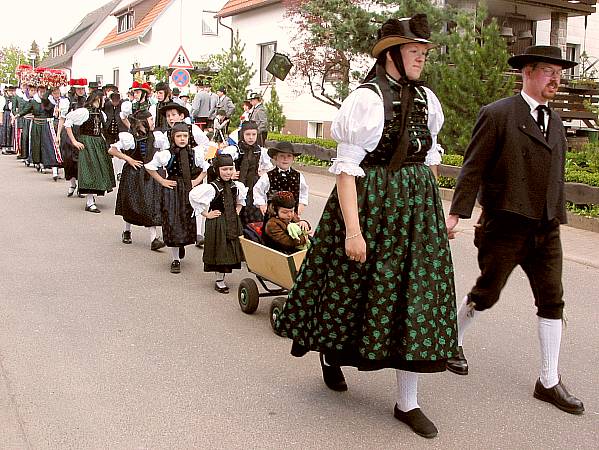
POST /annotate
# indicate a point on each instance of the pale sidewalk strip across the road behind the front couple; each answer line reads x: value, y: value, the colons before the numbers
x: 579, y: 246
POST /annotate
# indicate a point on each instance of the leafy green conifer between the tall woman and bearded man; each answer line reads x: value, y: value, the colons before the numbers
x: 469, y: 75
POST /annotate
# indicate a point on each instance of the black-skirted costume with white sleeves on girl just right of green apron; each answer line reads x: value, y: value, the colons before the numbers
x: 139, y: 195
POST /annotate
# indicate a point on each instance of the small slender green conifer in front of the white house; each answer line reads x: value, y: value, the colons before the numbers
x: 235, y: 74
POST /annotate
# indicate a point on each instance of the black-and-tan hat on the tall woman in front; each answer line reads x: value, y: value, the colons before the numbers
x: 402, y: 31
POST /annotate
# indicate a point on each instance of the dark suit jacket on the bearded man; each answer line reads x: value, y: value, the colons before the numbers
x: 512, y: 163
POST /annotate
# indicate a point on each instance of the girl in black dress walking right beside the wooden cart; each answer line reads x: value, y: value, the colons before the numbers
x: 220, y: 202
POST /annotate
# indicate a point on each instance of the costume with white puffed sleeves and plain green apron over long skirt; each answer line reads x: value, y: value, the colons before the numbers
x: 95, y: 173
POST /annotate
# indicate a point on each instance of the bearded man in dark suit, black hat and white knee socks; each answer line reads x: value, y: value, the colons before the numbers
x: 516, y: 159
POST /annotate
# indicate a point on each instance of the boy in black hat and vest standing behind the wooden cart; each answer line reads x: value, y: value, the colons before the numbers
x: 282, y: 178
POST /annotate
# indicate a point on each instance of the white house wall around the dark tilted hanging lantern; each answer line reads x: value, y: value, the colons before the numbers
x: 265, y: 25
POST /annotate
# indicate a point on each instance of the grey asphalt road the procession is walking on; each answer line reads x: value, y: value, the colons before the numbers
x: 101, y: 347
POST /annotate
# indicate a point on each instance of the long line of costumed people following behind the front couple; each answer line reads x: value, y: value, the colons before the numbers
x: 173, y: 177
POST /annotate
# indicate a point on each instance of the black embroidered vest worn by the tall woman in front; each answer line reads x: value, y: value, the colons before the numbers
x: 419, y: 134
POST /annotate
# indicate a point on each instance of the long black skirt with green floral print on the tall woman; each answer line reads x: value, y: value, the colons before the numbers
x: 396, y: 310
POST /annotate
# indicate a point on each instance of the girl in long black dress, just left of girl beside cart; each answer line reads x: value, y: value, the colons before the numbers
x: 184, y: 168
